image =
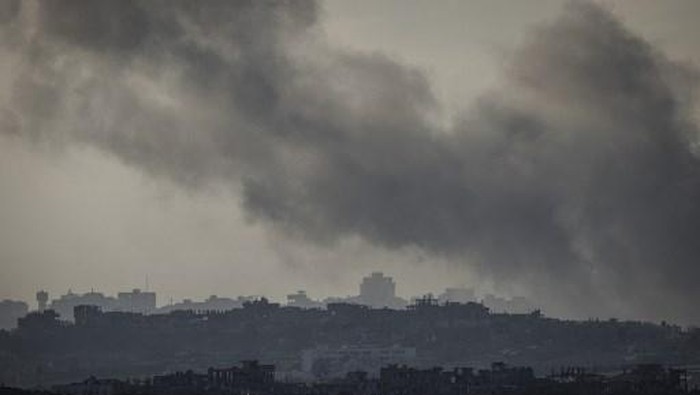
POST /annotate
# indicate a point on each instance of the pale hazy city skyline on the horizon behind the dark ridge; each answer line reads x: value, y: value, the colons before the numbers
x: 375, y: 291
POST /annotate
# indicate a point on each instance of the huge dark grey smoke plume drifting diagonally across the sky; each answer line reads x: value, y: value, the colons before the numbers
x: 577, y: 179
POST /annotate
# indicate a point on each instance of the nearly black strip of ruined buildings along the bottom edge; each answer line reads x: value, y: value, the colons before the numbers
x: 252, y: 378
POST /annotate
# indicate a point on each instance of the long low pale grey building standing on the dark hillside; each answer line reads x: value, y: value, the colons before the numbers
x: 333, y: 362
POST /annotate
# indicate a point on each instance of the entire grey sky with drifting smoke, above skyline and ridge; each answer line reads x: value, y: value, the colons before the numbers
x: 546, y: 149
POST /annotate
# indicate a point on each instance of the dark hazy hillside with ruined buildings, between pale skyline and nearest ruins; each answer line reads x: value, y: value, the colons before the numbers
x: 44, y: 350
